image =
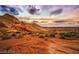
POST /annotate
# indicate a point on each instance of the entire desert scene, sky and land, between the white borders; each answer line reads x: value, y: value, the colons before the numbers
x: 39, y: 29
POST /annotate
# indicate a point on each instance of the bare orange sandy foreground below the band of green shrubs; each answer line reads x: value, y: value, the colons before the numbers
x: 35, y: 45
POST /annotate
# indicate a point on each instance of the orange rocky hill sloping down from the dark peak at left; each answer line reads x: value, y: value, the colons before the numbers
x: 12, y: 23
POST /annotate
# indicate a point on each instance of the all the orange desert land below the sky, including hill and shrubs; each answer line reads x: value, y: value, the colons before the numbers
x: 17, y: 37
